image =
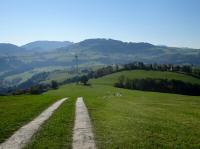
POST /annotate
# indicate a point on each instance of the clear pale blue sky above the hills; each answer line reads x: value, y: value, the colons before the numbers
x: 161, y: 22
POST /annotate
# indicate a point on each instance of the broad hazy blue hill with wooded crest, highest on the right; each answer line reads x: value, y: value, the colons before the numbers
x: 108, y: 51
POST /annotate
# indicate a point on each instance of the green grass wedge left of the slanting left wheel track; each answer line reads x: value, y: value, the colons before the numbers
x: 15, y: 111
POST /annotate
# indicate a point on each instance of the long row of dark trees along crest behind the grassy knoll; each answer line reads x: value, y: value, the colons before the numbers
x: 186, y: 69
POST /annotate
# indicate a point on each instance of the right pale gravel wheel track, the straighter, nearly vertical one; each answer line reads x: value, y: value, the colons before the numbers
x: 83, y: 137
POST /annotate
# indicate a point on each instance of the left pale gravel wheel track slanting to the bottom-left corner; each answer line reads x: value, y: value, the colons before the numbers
x: 21, y: 137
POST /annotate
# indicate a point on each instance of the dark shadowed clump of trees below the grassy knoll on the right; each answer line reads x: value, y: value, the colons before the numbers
x: 159, y: 85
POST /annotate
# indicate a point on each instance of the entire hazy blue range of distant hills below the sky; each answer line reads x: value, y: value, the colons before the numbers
x: 50, y: 56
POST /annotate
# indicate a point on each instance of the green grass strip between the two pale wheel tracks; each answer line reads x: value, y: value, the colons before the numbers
x: 56, y: 133
